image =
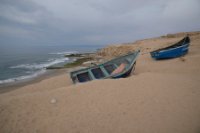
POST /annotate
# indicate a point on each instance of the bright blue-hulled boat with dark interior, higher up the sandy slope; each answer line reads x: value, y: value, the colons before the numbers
x: 178, y: 49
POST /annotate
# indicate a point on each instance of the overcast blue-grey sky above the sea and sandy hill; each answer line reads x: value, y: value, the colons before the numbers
x: 95, y: 22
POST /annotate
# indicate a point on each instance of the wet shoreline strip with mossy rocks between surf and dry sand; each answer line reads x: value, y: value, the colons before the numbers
x: 49, y: 72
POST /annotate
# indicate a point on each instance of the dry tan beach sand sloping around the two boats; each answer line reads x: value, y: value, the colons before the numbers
x: 160, y: 96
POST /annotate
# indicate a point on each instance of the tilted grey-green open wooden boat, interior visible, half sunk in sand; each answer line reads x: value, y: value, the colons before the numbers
x: 119, y: 67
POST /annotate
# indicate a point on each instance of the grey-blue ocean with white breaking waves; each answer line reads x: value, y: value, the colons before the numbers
x: 19, y: 63
